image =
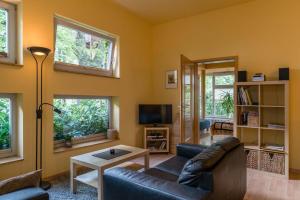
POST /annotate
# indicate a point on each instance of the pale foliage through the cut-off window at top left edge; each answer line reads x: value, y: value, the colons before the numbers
x: 3, y: 31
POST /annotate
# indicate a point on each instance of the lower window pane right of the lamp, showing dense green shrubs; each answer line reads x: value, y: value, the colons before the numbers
x: 82, y: 118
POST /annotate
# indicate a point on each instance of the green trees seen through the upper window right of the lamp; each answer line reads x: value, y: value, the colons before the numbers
x: 79, y: 48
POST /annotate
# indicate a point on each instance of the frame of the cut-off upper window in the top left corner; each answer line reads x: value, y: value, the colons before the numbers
x: 12, y: 24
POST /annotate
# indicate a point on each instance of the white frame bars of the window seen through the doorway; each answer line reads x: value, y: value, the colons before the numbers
x: 214, y: 87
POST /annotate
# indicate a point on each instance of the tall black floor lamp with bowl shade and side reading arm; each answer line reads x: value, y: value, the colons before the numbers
x: 40, y: 53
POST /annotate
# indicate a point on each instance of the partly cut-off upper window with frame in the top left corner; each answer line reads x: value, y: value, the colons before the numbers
x: 7, y: 32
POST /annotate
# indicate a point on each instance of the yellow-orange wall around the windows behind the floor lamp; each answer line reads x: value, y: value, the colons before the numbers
x: 132, y: 88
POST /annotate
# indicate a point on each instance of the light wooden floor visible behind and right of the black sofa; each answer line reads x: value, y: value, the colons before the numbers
x: 260, y: 186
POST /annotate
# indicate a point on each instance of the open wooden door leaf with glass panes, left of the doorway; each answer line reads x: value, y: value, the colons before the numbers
x: 189, y: 102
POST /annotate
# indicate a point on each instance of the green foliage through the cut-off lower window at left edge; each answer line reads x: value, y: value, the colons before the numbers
x: 4, y: 123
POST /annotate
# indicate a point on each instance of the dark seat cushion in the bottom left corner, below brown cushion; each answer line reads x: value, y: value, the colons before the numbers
x: 26, y: 194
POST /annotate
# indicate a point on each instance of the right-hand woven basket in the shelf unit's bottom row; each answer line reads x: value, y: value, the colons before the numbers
x: 272, y: 162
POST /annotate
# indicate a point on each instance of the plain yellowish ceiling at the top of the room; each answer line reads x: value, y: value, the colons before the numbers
x: 159, y: 11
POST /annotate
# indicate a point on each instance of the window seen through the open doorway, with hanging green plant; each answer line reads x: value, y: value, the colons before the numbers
x: 219, y: 94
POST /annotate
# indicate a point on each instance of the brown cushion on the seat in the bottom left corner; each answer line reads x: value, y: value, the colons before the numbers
x: 30, y: 179
